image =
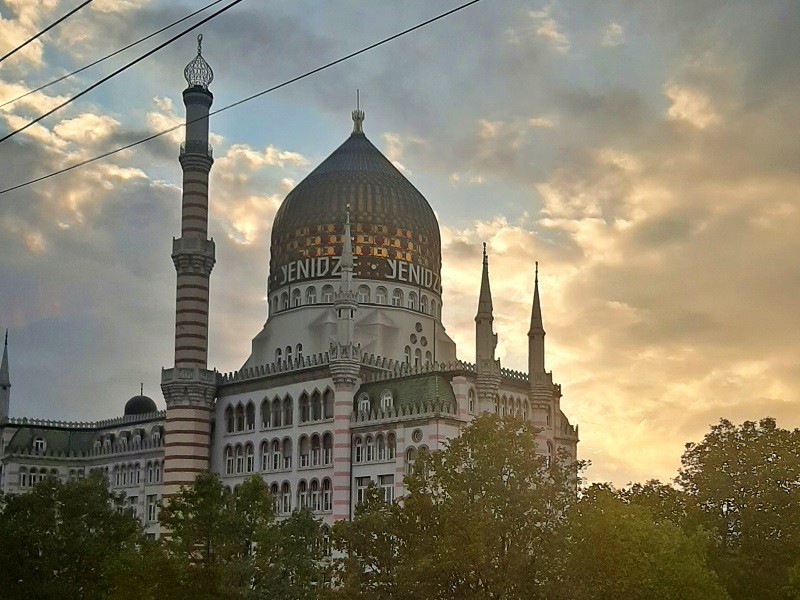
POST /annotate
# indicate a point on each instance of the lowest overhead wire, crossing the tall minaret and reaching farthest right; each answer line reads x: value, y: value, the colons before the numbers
x: 163, y: 132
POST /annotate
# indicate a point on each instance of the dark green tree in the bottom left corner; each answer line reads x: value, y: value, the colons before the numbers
x: 60, y: 540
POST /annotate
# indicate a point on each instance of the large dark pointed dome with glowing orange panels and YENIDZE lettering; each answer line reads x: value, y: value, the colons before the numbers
x: 395, y: 233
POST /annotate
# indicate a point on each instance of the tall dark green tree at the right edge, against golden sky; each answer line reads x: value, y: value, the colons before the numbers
x: 742, y: 484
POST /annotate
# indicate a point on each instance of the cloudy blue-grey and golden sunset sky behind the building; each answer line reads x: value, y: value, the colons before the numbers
x: 645, y: 153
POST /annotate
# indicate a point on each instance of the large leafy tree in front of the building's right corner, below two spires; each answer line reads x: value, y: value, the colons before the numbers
x: 474, y: 523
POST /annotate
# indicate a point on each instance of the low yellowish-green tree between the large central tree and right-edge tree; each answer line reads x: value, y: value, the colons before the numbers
x: 619, y: 550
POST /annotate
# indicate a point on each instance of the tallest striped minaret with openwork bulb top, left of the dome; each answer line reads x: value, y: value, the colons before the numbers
x: 189, y: 387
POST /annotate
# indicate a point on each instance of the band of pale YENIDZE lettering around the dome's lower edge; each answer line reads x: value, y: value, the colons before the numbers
x: 321, y: 267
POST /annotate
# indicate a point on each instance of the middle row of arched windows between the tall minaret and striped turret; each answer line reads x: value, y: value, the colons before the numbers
x: 278, y: 455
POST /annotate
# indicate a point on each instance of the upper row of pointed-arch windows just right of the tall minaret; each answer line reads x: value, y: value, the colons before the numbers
x: 280, y: 412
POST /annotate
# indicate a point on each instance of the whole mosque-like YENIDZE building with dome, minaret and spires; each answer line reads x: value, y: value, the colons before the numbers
x: 351, y: 376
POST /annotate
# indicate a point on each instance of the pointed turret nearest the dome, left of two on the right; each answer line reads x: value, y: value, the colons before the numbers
x: 486, y: 365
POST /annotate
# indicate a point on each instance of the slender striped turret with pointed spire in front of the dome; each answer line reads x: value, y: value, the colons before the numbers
x: 345, y: 365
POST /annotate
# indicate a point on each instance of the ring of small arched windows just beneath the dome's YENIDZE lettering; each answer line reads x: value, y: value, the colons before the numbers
x: 421, y: 302
